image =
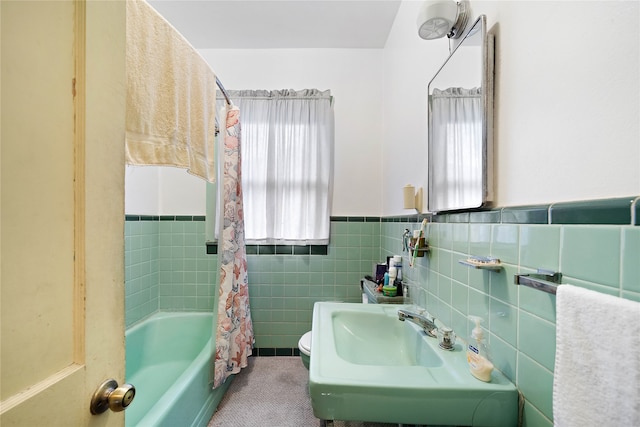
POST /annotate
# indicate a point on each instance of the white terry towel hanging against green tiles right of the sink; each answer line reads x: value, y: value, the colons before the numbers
x: 597, y: 367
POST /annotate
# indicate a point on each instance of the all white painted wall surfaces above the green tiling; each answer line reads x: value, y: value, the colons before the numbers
x: 567, y: 112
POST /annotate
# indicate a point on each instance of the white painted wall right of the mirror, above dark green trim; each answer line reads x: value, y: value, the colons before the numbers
x: 568, y: 100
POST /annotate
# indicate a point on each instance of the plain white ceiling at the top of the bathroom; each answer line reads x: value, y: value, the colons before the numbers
x: 272, y: 24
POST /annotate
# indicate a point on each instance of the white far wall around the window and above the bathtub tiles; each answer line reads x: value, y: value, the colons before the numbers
x: 355, y: 78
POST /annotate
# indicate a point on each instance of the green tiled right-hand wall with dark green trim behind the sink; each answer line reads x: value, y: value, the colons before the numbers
x: 589, y: 248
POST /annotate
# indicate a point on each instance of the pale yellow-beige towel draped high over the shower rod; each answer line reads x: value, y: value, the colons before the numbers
x: 171, y: 94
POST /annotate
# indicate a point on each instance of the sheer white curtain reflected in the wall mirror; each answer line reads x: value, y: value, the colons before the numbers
x: 458, y: 113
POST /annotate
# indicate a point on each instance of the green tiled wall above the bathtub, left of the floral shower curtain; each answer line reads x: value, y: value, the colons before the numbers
x: 166, y: 266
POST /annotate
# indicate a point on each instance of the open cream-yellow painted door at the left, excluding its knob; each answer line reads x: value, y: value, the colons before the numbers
x: 62, y: 209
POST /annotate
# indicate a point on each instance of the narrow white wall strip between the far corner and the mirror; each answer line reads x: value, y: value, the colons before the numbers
x: 410, y: 63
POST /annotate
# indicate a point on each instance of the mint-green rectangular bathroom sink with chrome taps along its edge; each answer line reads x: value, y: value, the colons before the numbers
x: 366, y: 365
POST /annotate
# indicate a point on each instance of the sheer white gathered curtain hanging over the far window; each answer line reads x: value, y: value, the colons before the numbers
x: 287, y: 165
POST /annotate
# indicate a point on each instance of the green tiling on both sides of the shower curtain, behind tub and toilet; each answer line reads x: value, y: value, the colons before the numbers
x: 282, y: 287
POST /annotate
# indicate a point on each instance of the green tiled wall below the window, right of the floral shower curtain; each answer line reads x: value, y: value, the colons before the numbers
x: 283, y: 288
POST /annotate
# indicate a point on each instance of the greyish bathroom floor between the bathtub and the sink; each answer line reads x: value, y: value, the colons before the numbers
x: 272, y: 391
